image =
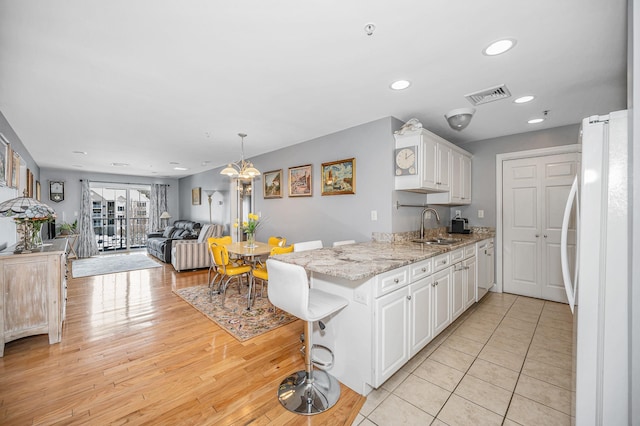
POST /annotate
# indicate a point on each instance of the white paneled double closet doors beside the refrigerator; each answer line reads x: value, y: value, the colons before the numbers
x: 535, y: 192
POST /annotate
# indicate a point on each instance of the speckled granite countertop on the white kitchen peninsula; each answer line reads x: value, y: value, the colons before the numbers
x: 365, y: 260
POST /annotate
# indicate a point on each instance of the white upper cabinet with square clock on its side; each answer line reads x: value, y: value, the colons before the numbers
x: 432, y: 171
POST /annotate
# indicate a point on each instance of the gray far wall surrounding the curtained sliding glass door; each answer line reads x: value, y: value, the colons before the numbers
x: 68, y: 209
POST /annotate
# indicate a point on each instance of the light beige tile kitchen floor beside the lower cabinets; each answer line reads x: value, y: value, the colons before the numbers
x: 506, y: 361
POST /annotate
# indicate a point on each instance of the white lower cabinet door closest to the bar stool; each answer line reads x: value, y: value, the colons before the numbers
x: 392, y: 334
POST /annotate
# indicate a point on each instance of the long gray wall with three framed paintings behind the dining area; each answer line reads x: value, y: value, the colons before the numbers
x: 328, y: 218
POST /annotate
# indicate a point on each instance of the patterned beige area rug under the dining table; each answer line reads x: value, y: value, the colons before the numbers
x: 234, y: 317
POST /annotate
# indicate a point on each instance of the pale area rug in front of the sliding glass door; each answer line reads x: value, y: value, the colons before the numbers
x: 111, y: 264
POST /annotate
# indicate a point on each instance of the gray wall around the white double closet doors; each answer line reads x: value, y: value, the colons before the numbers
x: 483, y: 174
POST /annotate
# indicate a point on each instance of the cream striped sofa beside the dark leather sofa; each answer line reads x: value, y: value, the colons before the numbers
x: 194, y: 254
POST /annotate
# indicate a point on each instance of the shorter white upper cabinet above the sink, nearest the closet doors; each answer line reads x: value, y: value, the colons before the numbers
x: 459, y: 181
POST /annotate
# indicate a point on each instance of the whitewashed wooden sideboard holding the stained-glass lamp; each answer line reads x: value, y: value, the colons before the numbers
x: 34, y: 288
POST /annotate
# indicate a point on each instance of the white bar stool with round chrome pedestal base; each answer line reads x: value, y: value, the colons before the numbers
x: 310, y: 391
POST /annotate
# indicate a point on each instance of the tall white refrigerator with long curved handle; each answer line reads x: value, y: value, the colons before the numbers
x: 598, y: 280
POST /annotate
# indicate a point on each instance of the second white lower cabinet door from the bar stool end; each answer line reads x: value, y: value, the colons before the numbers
x: 420, y: 322
